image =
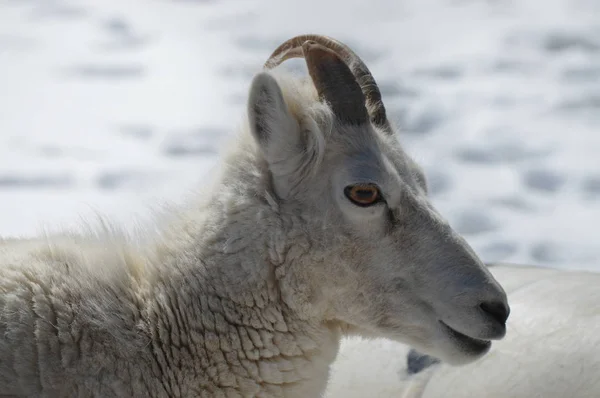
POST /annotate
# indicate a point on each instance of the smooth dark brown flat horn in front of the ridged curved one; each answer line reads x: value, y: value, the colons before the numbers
x: 335, y: 83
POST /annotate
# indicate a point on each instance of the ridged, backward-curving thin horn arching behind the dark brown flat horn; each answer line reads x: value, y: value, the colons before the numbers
x: 292, y: 48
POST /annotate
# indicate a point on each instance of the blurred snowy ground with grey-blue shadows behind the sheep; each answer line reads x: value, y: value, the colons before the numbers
x: 116, y: 106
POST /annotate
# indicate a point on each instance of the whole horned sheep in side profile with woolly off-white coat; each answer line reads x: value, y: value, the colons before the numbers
x: 318, y: 226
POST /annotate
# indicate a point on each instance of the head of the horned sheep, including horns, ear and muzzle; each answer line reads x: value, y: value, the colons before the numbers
x: 382, y: 261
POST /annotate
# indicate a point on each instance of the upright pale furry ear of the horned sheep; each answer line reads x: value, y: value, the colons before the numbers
x: 276, y: 131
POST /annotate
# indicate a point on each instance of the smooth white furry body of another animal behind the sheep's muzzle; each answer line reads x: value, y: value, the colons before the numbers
x: 552, y: 349
